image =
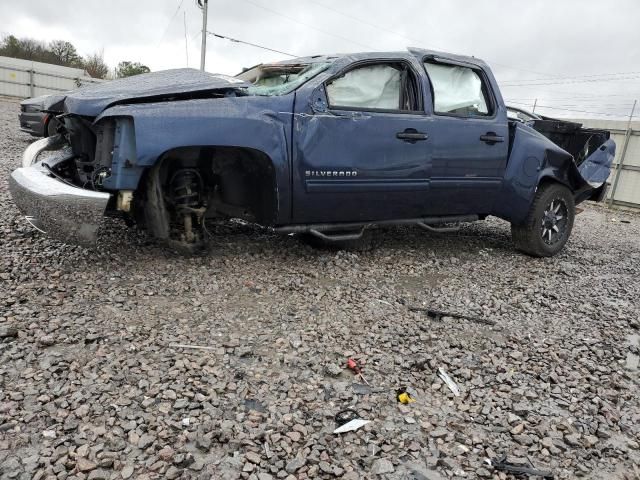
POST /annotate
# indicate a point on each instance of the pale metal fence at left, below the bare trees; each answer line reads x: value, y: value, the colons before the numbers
x: 19, y: 78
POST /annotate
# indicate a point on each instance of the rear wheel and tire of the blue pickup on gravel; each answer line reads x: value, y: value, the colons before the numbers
x: 549, y: 222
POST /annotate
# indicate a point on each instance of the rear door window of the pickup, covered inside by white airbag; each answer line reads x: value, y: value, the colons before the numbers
x: 458, y: 90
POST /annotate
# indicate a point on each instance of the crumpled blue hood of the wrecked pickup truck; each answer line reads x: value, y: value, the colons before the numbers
x: 155, y: 86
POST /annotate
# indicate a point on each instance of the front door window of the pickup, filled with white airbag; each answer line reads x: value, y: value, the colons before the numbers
x: 374, y: 87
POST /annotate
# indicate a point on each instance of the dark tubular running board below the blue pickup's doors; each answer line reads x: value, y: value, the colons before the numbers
x: 323, y: 230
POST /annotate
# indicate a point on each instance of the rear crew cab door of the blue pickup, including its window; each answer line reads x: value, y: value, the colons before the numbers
x: 470, y: 139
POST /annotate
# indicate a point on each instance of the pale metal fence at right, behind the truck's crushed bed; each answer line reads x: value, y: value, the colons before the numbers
x: 625, y: 176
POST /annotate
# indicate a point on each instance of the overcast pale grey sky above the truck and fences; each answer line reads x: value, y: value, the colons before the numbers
x: 569, y: 54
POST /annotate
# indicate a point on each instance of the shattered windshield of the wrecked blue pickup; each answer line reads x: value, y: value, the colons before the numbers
x: 280, y: 79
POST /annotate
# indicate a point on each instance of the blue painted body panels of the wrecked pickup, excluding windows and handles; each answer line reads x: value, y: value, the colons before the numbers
x: 373, y: 175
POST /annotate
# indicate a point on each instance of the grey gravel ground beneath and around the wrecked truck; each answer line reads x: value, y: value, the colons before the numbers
x: 91, y: 386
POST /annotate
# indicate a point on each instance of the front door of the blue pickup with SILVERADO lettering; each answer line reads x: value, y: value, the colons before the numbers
x: 363, y: 152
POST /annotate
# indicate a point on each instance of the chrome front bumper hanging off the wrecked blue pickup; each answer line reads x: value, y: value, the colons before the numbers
x: 62, y: 211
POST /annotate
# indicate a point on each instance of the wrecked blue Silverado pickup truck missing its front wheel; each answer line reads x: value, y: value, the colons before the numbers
x: 328, y: 146
